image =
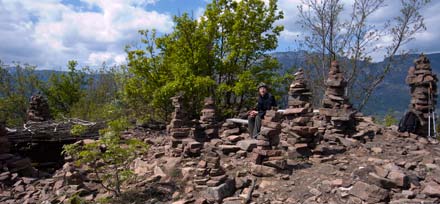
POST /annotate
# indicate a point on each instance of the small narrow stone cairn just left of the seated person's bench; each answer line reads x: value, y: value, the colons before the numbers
x: 208, y: 122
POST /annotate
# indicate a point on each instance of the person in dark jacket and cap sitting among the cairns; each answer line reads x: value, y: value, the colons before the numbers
x: 265, y: 102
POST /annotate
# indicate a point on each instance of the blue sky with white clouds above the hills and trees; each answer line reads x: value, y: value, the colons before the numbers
x: 48, y: 33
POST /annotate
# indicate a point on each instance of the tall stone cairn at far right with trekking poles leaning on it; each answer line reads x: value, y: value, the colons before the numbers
x: 423, y: 85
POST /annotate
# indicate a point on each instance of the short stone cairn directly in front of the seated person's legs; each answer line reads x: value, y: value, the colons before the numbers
x: 269, y: 137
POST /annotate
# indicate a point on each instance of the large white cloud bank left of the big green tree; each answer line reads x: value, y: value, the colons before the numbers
x: 49, y: 33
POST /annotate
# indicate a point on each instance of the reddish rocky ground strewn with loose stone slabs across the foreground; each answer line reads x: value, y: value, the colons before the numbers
x: 390, y: 168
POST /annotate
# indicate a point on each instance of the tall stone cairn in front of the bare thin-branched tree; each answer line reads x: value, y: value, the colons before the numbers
x: 337, y: 110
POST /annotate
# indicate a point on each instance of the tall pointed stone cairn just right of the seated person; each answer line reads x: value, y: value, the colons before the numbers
x: 298, y: 127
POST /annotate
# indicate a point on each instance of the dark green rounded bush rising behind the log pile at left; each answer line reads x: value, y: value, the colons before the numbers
x: 64, y: 90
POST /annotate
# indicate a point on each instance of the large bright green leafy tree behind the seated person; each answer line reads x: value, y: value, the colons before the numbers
x: 222, y: 54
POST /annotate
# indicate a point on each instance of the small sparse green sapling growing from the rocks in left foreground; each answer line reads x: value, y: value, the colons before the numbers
x: 110, y: 156
